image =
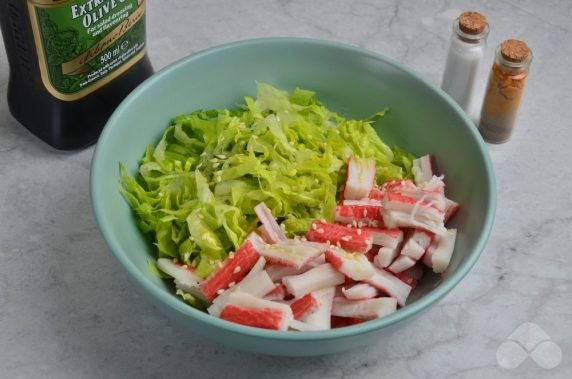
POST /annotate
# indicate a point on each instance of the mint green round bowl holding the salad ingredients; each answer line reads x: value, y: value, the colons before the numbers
x: 351, y: 81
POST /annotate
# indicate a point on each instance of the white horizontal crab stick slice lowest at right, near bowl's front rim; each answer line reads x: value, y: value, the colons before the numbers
x: 364, y: 309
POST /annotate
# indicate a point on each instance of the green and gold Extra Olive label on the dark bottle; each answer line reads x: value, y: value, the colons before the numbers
x: 84, y: 44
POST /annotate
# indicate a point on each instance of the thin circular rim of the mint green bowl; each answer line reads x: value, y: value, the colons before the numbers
x: 158, y: 294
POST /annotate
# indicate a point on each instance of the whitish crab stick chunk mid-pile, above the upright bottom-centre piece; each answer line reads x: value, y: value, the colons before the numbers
x: 317, y: 278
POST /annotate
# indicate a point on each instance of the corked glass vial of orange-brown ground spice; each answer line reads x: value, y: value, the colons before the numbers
x: 504, y: 90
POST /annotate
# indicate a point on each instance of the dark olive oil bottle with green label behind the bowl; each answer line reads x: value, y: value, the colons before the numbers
x: 71, y: 63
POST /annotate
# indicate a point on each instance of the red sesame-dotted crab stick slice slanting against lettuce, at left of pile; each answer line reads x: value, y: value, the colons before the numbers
x: 233, y: 270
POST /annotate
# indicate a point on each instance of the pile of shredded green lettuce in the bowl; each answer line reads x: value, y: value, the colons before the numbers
x: 196, y: 190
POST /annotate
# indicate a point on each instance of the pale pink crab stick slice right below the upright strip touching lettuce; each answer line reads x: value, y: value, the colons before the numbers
x: 290, y: 253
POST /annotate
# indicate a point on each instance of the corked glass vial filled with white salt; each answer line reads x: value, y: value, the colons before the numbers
x: 466, y: 50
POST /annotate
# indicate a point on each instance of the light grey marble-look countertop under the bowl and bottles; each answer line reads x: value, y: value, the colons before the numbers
x: 67, y: 310
